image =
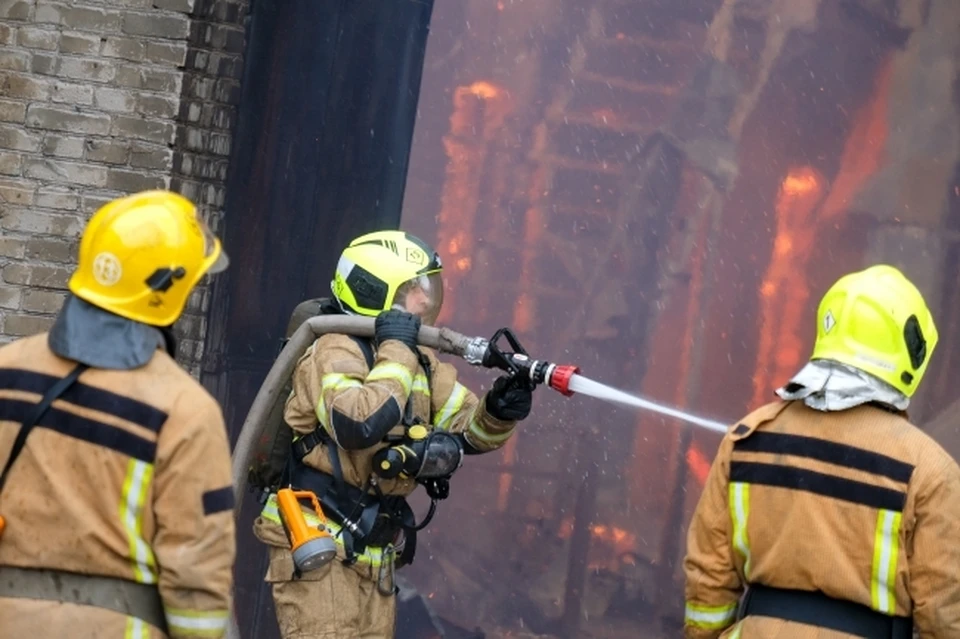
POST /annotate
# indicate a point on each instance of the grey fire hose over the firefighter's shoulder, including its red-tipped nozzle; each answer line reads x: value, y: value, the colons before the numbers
x: 477, y: 351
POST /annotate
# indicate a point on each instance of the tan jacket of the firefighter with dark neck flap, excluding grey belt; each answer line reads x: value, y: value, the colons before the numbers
x: 128, y: 475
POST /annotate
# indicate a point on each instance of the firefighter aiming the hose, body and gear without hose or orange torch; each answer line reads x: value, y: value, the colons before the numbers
x: 374, y: 420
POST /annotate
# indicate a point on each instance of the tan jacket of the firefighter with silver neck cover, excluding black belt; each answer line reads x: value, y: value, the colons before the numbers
x: 858, y: 504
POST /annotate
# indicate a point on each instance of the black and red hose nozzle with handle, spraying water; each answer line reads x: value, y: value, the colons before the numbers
x: 486, y: 353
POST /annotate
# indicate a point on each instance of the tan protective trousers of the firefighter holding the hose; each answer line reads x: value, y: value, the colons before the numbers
x: 333, y: 602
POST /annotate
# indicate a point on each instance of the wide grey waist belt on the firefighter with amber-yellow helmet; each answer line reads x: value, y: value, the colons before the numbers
x: 111, y: 593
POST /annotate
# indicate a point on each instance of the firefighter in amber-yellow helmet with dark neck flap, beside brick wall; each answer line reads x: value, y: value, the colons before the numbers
x: 115, y: 492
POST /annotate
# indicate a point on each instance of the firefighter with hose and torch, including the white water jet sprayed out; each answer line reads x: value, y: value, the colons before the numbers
x: 358, y: 412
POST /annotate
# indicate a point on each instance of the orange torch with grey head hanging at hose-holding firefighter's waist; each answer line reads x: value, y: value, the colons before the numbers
x: 312, y: 546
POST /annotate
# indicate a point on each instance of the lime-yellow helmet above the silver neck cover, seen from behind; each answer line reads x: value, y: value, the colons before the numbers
x: 877, y: 321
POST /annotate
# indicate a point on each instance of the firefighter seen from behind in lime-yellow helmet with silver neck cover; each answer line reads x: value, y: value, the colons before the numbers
x: 834, y: 513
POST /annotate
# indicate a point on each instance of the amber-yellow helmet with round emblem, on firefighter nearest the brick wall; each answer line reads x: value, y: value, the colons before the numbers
x: 141, y: 256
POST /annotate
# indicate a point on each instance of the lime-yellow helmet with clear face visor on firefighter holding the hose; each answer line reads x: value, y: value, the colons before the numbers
x: 378, y: 271
